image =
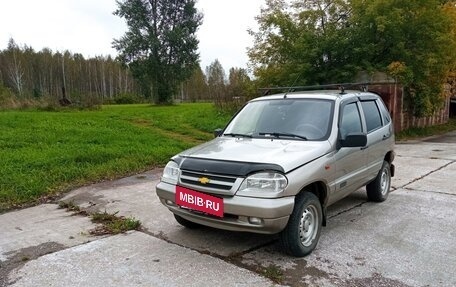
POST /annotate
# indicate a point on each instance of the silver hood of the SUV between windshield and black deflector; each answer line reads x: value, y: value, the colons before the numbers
x: 288, y: 154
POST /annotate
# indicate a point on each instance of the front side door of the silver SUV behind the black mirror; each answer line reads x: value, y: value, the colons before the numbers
x: 350, y: 162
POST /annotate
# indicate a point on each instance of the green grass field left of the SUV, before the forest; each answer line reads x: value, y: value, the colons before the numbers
x: 46, y: 153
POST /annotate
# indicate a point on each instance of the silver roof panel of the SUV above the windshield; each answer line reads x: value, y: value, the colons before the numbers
x: 318, y: 94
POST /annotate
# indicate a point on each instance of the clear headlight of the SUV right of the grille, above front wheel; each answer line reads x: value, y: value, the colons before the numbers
x: 264, y: 182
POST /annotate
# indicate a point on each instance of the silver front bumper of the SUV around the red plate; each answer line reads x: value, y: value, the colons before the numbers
x: 258, y: 215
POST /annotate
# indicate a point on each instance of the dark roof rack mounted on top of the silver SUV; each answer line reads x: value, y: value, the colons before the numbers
x: 341, y: 86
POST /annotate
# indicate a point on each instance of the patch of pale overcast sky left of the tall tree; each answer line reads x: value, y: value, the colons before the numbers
x: 86, y: 27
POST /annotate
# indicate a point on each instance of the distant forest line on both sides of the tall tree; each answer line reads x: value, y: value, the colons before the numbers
x: 54, y: 78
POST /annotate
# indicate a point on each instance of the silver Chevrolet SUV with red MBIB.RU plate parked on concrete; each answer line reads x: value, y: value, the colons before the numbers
x: 280, y: 162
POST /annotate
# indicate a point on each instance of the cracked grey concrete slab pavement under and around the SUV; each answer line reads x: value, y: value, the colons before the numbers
x: 409, y: 240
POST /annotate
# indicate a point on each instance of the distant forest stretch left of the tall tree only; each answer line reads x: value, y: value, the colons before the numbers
x: 47, y: 76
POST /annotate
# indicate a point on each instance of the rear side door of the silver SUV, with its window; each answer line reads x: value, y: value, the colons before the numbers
x: 377, y: 132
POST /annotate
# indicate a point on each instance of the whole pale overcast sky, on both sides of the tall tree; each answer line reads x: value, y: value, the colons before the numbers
x: 88, y: 27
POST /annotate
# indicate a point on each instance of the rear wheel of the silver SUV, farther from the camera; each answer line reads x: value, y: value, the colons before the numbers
x: 378, y: 189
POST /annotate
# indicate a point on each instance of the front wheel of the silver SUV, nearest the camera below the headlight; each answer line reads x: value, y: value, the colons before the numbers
x: 301, y: 235
